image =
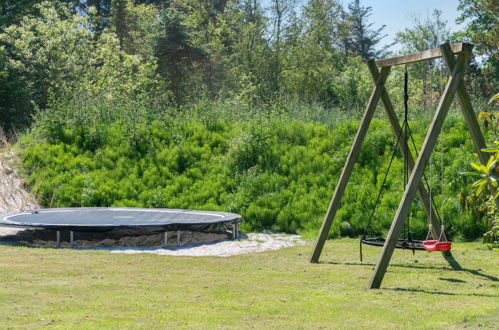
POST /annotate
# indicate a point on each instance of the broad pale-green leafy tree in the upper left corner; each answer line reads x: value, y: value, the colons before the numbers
x: 56, y: 56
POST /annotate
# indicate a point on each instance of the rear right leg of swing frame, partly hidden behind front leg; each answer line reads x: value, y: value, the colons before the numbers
x: 467, y: 108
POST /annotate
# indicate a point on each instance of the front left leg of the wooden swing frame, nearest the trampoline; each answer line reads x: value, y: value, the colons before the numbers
x: 351, y: 159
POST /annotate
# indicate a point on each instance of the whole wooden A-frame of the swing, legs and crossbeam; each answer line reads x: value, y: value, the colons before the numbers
x: 456, y: 67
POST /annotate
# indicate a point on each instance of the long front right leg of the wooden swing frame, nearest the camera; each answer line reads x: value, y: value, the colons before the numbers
x: 417, y: 173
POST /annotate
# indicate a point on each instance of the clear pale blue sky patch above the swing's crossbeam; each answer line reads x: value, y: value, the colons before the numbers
x: 395, y: 14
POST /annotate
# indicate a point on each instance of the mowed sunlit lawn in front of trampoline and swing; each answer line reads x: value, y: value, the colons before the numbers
x: 280, y: 289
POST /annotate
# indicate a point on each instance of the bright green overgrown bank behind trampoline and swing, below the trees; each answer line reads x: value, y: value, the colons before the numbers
x: 276, y: 168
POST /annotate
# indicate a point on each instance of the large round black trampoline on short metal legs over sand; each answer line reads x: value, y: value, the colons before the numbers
x: 102, y: 219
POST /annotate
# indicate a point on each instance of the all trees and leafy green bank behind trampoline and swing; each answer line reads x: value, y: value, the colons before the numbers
x: 217, y: 105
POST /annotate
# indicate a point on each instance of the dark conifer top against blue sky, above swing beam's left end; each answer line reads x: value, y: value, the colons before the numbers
x: 363, y: 39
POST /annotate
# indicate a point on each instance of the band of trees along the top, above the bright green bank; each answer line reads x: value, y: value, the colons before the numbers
x: 173, y: 52
